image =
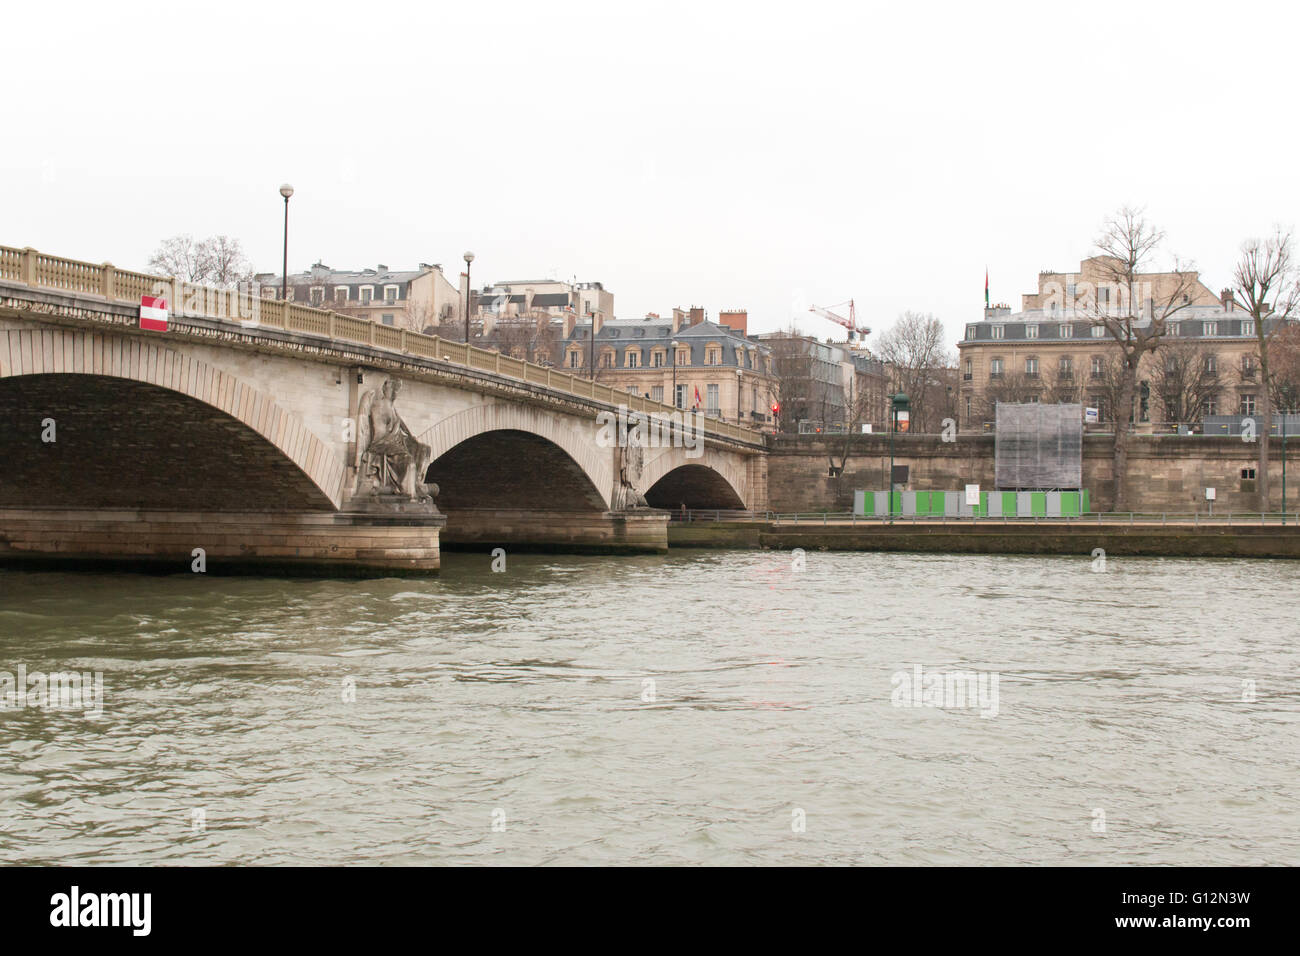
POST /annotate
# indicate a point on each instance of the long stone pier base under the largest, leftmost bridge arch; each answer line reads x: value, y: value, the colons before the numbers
x: 314, y: 543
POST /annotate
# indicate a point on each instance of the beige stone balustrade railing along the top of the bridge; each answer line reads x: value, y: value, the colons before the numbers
x: 33, y: 269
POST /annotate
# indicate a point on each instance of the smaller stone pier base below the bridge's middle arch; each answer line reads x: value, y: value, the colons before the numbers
x: 577, y: 533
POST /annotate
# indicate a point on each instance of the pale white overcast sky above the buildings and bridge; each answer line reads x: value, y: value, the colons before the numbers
x: 727, y: 155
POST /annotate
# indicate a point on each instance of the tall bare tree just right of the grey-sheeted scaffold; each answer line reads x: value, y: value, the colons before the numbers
x: 1133, y: 317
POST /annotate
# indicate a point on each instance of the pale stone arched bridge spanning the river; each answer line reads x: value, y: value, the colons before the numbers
x: 231, y: 438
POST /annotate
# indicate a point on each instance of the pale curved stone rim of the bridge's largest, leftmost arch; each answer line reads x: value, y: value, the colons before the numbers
x: 148, y: 371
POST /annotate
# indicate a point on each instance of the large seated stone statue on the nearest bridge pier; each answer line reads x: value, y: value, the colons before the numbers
x: 389, y: 460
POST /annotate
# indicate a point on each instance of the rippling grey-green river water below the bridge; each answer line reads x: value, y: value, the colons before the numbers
x: 699, y: 708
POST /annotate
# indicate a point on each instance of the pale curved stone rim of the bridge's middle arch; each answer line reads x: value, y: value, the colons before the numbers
x: 527, y: 425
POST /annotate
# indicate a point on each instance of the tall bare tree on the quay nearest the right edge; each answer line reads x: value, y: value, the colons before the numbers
x: 1268, y: 284
